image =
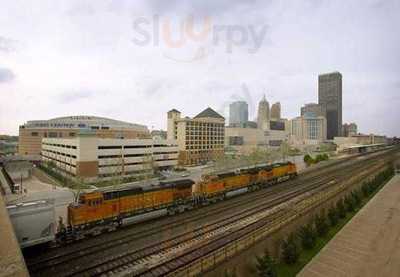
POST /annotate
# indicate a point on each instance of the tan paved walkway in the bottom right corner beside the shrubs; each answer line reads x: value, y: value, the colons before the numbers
x: 369, y: 245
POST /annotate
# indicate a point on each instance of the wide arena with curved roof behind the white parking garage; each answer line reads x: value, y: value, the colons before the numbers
x: 32, y: 132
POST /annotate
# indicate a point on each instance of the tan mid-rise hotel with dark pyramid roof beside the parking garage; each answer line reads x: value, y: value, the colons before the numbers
x: 200, y: 139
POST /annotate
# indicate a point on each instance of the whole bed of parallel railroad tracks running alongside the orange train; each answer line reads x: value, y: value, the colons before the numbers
x: 195, y: 241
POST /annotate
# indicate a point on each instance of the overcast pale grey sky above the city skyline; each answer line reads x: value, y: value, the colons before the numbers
x: 103, y: 58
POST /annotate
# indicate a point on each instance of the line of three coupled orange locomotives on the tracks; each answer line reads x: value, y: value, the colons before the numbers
x: 106, y: 210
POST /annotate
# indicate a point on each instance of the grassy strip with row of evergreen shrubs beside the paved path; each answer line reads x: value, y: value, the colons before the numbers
x: 305, y: 256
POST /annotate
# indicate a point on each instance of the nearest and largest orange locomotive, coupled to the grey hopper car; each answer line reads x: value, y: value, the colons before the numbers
x: 104, y: 210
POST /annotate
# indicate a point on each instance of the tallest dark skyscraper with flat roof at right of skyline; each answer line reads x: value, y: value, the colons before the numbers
x: 330, y: 98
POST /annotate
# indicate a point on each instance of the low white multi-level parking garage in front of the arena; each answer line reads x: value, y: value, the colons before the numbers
x: 91, y: 158
